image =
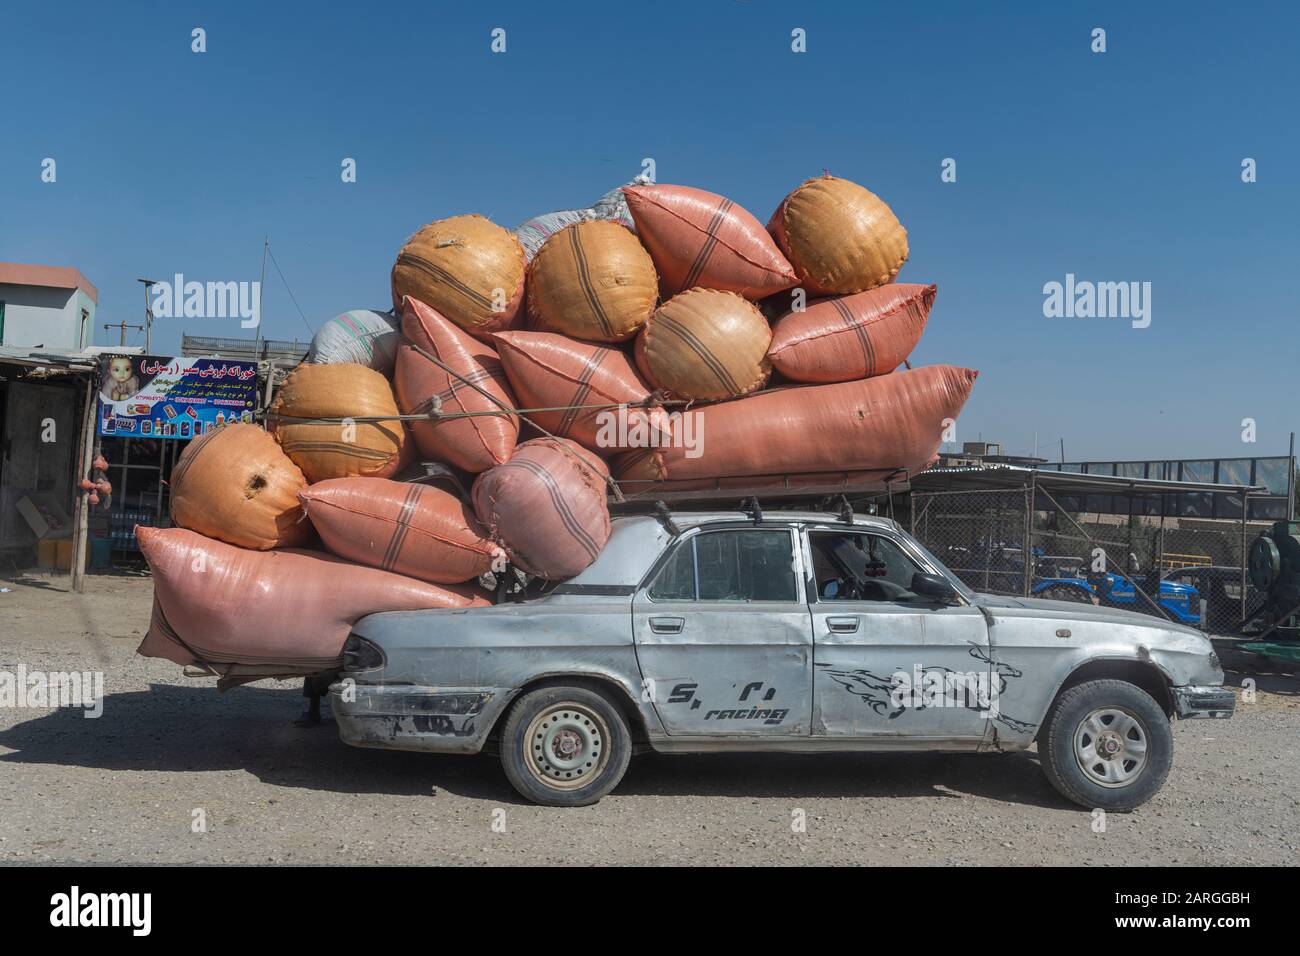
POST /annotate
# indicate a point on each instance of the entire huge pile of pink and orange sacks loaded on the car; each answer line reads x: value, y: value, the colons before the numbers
x: 653, y: 300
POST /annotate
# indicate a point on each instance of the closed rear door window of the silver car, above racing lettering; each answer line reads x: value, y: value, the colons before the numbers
x: 739, y: 565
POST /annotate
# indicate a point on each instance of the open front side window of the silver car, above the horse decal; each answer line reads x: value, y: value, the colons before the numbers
x: 853, y: 566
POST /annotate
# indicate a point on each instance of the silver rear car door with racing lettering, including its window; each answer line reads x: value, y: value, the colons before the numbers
x: 725, y: 637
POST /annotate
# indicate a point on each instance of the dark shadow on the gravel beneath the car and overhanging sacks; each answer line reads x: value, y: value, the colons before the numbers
x: 190, y: 730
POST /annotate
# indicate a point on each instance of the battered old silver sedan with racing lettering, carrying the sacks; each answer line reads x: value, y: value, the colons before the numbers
x: 781, y: 631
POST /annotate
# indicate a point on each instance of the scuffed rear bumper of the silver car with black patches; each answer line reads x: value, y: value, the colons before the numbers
x: 402, y: 717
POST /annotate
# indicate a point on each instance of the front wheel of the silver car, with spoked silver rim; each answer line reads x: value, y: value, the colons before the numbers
x: 1107, y: 745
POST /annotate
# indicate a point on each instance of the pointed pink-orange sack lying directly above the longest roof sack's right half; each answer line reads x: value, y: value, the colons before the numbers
x: 852, y: 336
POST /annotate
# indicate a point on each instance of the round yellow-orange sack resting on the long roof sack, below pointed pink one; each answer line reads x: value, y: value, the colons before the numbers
x: 707, y: 345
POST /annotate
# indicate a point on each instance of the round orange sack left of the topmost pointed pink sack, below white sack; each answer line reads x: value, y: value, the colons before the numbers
x: 595, y: 282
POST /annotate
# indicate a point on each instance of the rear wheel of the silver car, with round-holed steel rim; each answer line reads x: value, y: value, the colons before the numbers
x: 565, y: 746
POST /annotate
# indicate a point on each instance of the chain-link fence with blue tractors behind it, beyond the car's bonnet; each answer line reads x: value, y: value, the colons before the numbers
x: 1026, y: 543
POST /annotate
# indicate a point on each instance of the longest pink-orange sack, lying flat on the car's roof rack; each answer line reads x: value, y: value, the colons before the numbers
x: 894, y: 422
